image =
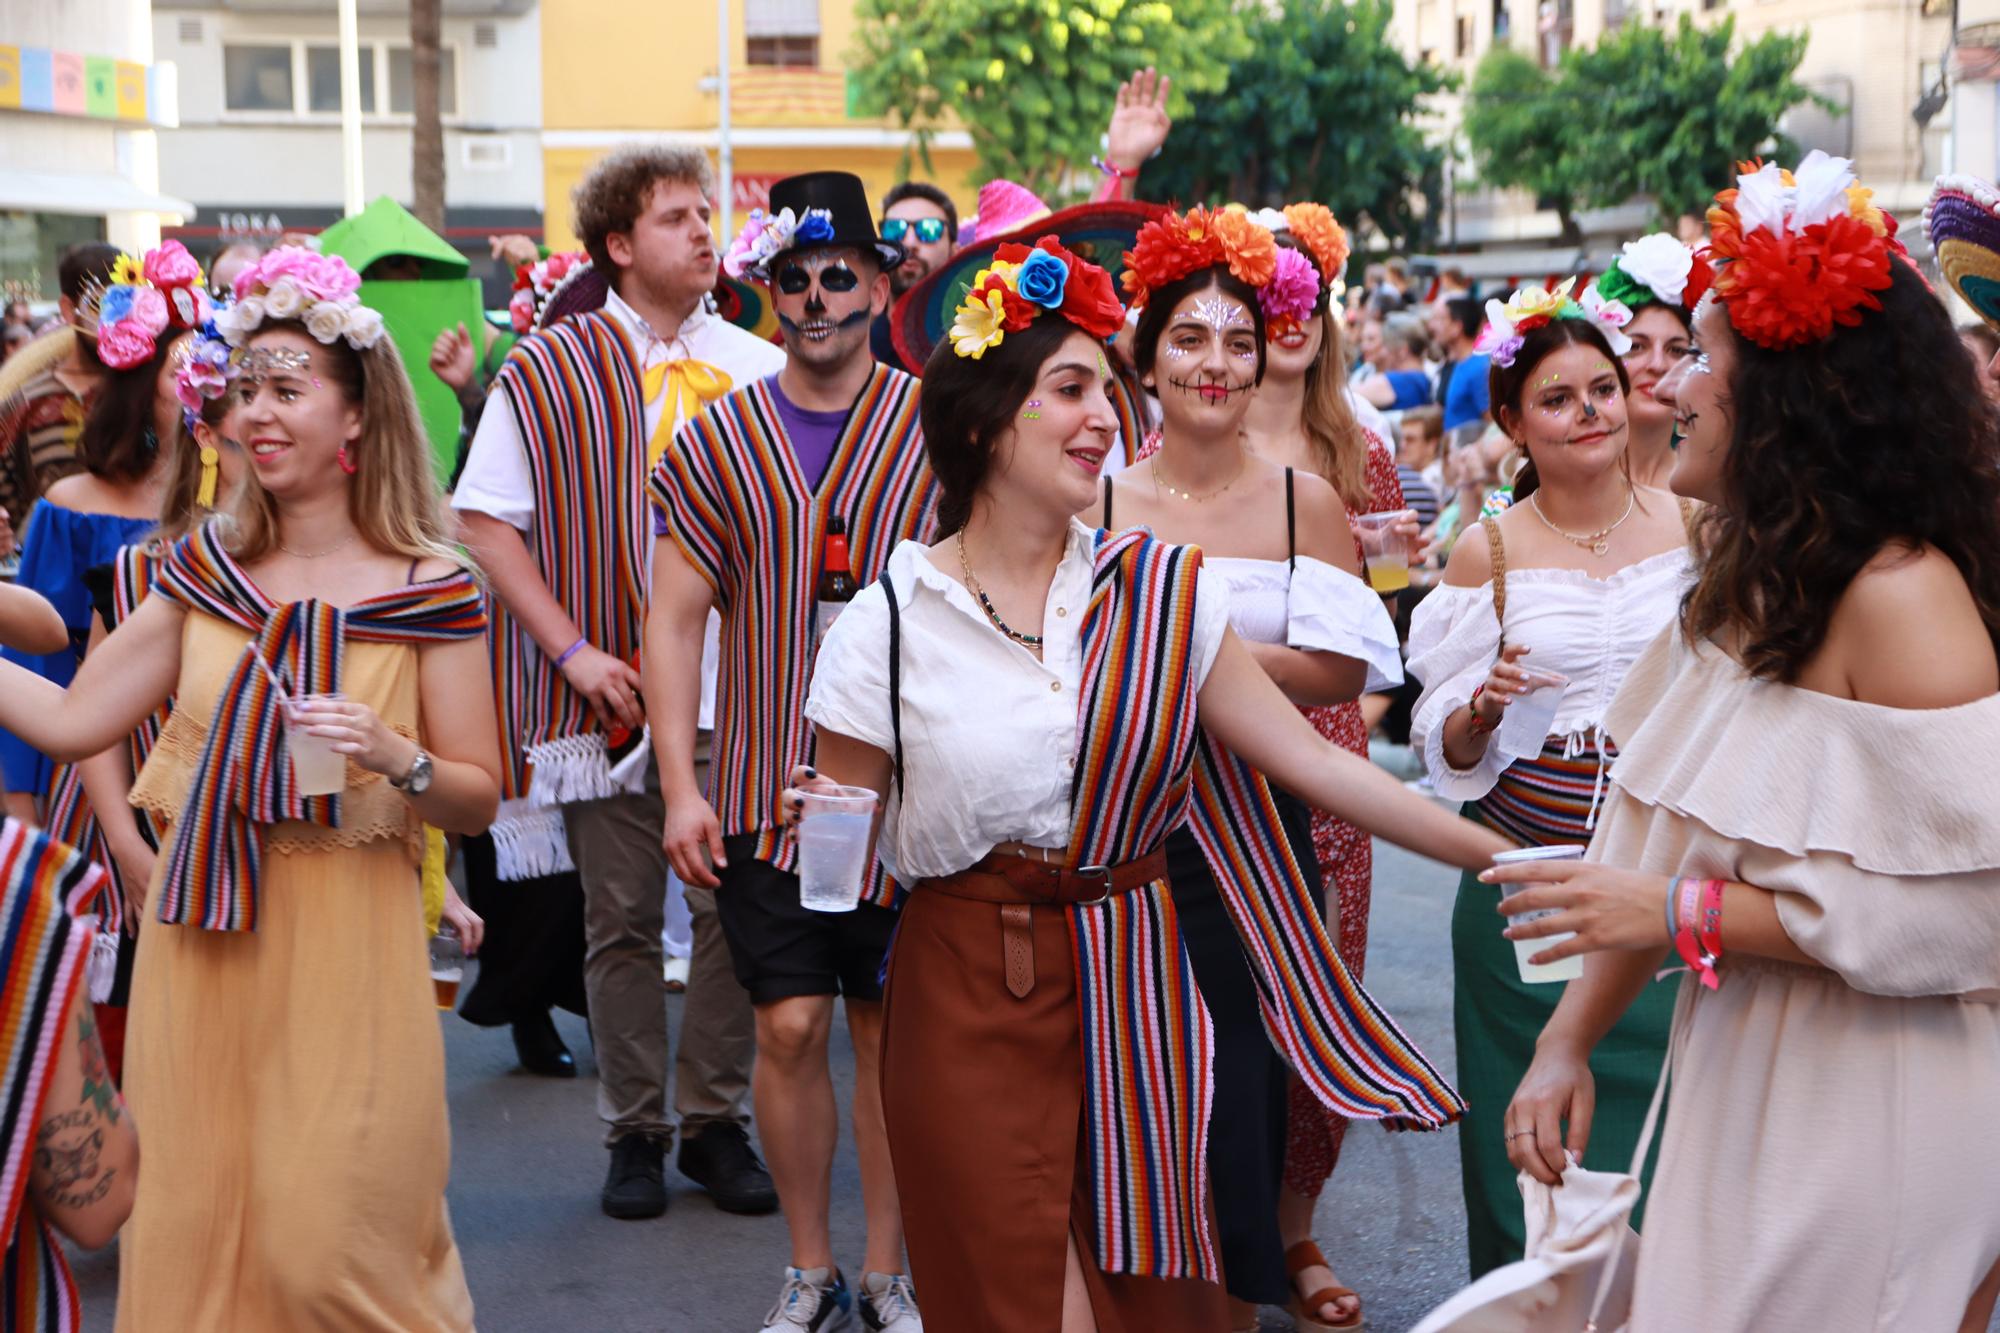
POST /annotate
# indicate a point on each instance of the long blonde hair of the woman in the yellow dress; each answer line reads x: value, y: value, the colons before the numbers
x: 395, y: 499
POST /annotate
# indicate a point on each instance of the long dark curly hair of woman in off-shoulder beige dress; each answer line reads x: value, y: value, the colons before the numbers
x: 1875, y: 437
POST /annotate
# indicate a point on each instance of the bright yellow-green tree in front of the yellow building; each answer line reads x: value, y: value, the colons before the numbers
x: 1035, y: 81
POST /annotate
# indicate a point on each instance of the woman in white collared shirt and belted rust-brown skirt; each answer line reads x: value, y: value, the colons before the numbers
x: 1007, y: 635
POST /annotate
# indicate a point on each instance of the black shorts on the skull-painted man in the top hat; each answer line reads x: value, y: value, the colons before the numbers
x: 781, y: 948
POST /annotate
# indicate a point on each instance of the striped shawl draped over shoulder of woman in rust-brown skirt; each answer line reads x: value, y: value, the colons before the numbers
x: 1143, y: 770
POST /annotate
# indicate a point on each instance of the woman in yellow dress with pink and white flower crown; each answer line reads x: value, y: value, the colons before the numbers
x: 283, y: 1042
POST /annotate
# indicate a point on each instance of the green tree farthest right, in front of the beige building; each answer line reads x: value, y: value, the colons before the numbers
x: 1647, y: 113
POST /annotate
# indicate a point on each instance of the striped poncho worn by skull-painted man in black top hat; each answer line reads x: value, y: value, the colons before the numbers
x: 741, y: 511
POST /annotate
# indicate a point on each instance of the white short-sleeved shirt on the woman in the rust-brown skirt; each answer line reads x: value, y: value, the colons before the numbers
x: 989, y: 732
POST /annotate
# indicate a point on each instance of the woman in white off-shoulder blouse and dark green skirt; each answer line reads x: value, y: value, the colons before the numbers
x: 1575, y: 579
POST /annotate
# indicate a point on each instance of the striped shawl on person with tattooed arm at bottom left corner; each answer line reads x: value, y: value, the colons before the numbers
x: 47, y: 894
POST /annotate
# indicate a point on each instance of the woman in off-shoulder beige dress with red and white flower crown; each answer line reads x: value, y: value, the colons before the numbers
x: 1779, y: 818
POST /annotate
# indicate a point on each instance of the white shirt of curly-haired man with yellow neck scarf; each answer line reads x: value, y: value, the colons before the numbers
x: 497, y: 479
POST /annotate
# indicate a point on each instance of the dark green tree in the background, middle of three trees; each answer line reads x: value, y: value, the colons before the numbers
x: 1323, y: 107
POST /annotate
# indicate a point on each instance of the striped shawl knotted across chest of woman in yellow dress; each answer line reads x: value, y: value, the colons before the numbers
x: 245, y: 778
